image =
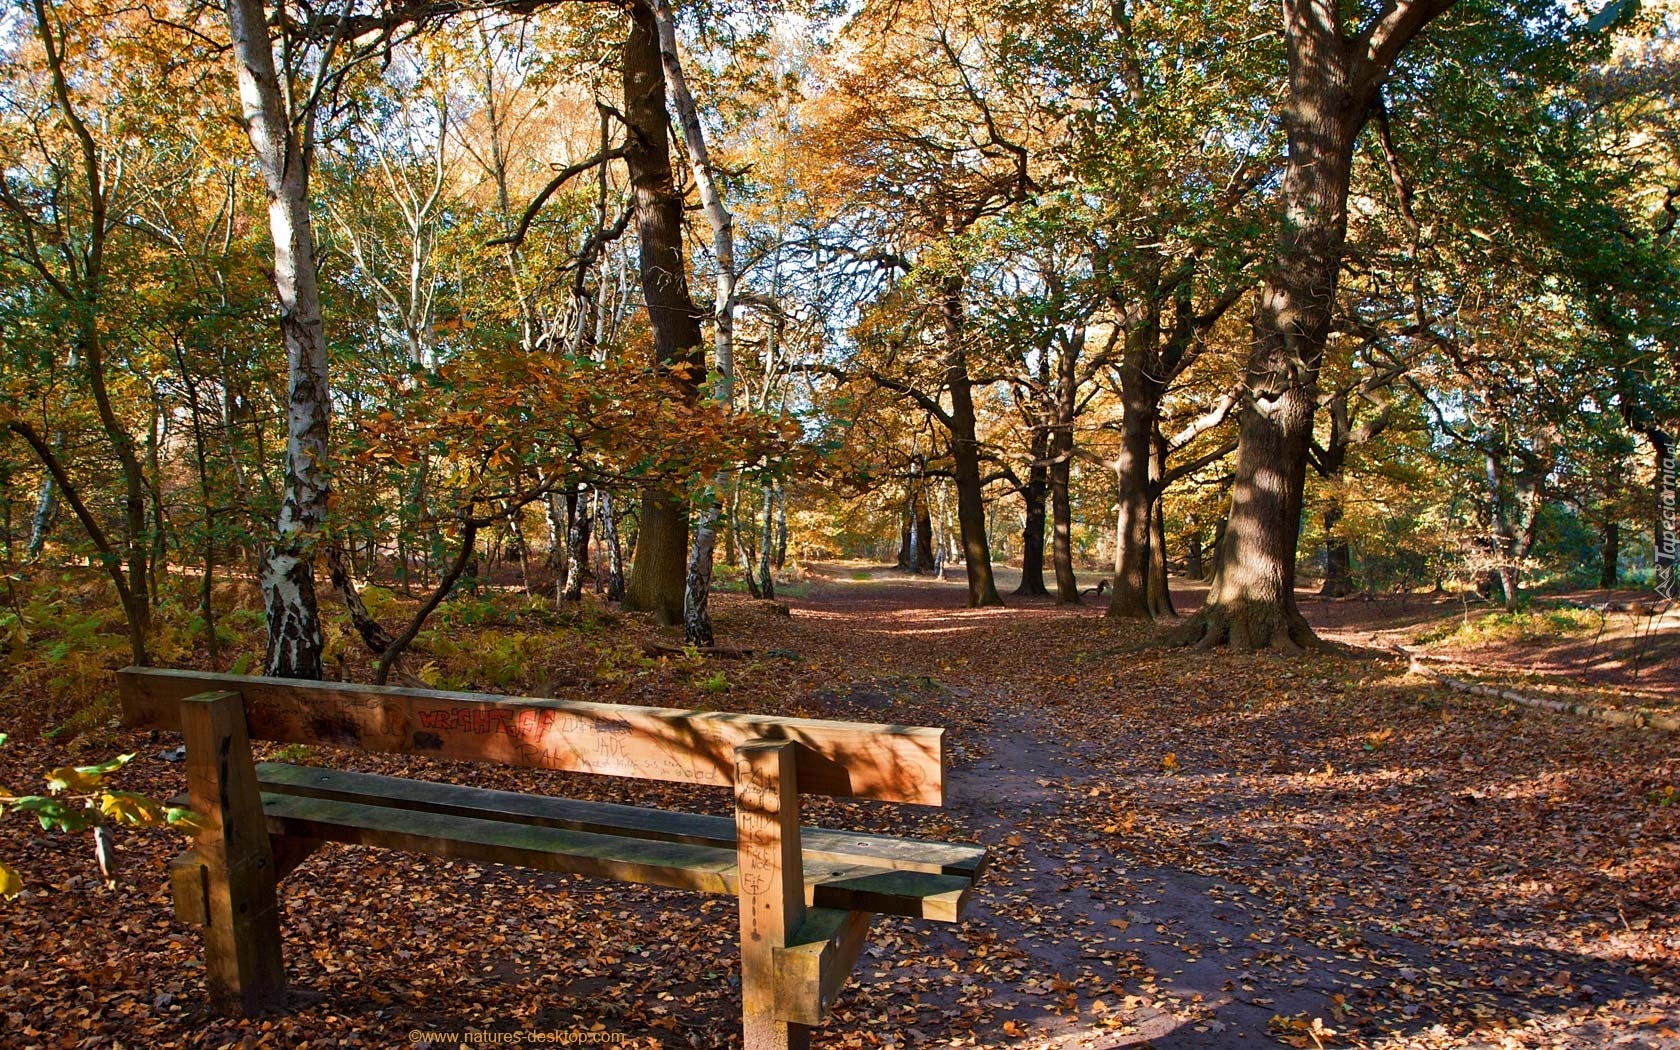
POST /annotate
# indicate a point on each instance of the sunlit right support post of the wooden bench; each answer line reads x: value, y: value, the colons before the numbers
x: 772, y: 886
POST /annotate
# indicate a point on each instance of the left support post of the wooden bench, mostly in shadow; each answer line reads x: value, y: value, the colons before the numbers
x: 239, y: 901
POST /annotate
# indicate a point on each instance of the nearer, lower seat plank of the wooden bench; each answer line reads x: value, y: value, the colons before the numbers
x: 654, y: 863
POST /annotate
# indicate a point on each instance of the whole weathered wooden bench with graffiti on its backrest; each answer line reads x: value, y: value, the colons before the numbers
x: 806, y: 895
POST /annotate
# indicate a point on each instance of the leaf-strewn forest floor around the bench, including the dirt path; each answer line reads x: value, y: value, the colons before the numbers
x: 1189, y: 851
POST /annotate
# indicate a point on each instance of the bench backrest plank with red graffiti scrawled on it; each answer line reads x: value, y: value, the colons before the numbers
x: 888, y: 764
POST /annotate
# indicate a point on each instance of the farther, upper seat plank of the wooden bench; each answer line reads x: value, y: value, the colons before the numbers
x: 611, y: 819
